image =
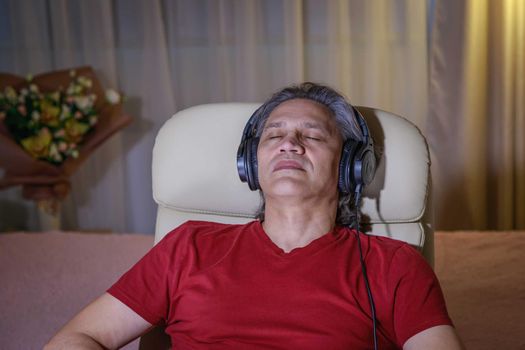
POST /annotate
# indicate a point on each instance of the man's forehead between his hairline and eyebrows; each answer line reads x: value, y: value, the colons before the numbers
x: 307, y: 112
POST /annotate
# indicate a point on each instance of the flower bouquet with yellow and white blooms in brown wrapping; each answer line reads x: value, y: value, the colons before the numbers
x: 49, y: 125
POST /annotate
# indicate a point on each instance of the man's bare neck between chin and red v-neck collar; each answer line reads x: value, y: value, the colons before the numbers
x: 293, y: 225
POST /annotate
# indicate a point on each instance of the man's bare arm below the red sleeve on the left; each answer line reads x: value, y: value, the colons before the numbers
x: 106, y: 321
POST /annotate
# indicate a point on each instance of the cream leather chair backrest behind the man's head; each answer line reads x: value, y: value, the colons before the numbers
x: 195, y: 174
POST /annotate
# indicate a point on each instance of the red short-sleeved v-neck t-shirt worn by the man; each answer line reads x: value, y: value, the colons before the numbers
x: 217, y: 286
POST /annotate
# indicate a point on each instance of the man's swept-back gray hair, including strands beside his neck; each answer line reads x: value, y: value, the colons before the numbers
x: 346, y: 122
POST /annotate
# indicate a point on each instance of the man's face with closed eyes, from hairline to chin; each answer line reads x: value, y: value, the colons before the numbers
x: 299, y: 151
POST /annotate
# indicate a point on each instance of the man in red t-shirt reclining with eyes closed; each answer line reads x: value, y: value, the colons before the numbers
x: 291, y: 280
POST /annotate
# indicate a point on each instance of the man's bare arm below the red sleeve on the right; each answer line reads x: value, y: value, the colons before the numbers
x: 435, y: 338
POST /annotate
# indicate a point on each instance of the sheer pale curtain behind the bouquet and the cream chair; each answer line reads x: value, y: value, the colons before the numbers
x: 168, y: 55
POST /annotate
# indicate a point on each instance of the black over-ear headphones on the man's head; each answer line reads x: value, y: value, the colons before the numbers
x: 356, y: 168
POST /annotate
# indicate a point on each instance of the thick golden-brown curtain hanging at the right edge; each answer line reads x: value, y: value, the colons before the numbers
x: 477, y: 114
